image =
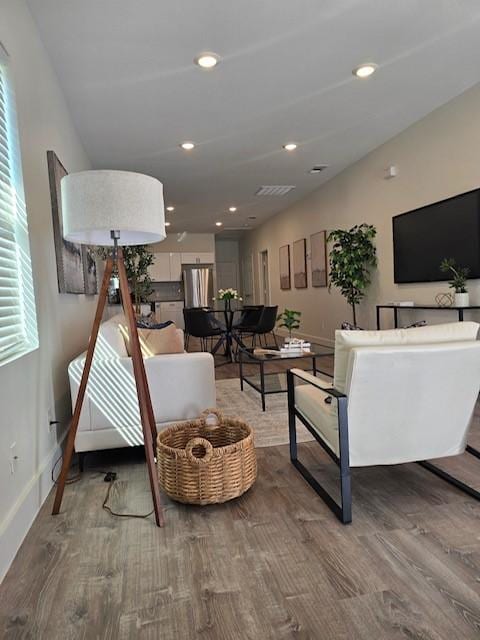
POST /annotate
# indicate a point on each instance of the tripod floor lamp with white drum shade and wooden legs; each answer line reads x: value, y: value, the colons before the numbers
x: 114, y: 208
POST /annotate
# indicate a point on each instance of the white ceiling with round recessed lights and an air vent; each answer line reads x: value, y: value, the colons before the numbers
x: 134, y: 93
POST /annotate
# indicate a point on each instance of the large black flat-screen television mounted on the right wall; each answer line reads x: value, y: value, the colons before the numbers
x: 424, y: 237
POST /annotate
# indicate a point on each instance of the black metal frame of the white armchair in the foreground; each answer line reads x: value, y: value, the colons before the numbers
x: 343, y: 511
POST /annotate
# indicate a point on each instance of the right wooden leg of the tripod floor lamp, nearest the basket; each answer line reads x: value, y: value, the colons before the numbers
x: 143, y: 392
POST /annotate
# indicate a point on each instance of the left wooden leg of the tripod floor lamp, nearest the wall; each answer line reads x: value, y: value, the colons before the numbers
x: 67, y: 456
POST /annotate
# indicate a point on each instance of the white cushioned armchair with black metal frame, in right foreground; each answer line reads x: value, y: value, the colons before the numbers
x: 403, y: 395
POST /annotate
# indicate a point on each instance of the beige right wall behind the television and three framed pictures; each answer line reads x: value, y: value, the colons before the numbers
x: 437, y: 157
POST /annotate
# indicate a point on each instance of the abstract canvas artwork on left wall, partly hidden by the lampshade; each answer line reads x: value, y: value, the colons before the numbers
x: 76, y: 266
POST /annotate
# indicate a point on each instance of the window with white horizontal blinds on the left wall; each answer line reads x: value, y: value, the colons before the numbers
x: 18, y: 320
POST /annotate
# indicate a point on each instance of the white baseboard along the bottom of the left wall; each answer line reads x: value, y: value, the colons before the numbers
x: 20, y: 517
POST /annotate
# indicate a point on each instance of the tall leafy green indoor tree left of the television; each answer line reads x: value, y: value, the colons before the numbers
x: 352, y: 257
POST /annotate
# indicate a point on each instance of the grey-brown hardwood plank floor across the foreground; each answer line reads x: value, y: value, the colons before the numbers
x: 274, y: 564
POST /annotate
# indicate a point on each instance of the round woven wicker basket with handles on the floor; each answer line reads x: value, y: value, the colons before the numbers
x: 203, y: 463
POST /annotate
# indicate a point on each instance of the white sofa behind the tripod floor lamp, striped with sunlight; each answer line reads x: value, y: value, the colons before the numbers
x: 182, y: 385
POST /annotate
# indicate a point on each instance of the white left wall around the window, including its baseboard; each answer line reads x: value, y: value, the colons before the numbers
x: 37, y: 383
